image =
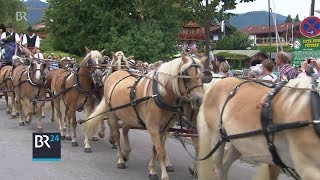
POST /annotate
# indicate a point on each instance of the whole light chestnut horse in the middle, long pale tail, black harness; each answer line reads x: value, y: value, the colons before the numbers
x: 150, y: 106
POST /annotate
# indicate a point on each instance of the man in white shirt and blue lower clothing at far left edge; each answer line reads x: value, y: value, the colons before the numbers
x: 9, y: 38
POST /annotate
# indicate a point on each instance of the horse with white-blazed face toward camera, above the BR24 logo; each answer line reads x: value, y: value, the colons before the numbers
x: 29, y: 84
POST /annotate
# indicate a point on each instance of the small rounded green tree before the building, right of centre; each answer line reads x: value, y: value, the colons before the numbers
x: 235, y: 41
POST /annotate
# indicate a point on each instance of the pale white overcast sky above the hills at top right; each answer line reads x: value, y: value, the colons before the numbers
x: 283, y: 7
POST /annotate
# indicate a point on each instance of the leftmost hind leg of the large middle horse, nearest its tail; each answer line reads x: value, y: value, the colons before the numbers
x: 116, y: 134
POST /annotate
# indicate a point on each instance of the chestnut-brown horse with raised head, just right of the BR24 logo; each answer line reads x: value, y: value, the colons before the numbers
x: 75, y: 91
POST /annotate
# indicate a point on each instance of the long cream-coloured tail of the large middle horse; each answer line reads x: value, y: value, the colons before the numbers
x: 95, y: 118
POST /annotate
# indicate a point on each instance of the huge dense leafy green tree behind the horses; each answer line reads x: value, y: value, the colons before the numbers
x: 144, y: 28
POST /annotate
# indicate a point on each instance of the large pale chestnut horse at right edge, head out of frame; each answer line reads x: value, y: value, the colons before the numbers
x: 255, y: 118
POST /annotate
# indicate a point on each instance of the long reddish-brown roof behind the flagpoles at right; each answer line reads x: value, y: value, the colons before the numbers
x: 265, y: 29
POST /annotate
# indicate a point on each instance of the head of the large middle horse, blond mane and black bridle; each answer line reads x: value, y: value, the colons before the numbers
x: 186, y: 75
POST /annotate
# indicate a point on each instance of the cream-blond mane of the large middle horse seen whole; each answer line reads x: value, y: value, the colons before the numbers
x: 168, y: 70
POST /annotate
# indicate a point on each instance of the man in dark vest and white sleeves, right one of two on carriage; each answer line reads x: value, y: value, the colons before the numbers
x: 31, y: 40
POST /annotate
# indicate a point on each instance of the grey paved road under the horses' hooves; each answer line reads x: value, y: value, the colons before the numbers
x: 16, y: 155
